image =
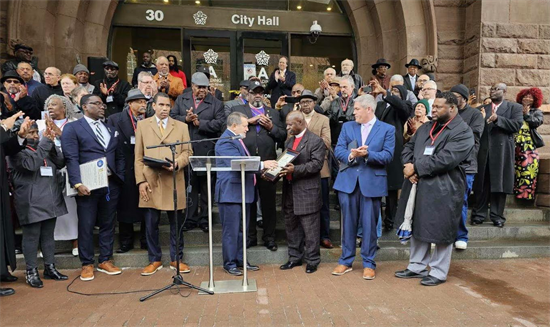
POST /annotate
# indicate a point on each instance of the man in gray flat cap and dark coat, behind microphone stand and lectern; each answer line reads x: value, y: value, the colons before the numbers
x: 204, y: 116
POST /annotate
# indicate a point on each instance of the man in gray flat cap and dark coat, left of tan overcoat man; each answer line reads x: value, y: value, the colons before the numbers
x: 128, y: 211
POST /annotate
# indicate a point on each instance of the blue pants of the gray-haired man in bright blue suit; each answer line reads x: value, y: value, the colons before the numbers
x: 356, y: 207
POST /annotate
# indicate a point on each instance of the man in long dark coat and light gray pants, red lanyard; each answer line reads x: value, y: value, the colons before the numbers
x: 434, y: 160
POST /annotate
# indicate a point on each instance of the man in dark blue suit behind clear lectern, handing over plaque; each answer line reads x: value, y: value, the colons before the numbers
x: 229, y: 193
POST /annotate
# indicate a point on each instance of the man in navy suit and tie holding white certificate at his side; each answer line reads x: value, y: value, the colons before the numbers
x: 85, y: 140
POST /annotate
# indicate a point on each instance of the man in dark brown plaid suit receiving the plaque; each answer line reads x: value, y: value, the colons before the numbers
x: 302, y: 193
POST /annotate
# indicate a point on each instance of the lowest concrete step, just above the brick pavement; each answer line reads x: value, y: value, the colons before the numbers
x: 390, y: 250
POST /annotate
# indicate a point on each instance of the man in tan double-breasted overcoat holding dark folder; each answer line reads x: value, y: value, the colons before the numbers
x: 156, y: 185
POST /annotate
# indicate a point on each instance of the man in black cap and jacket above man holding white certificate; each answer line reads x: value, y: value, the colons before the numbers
x: 112, y: 90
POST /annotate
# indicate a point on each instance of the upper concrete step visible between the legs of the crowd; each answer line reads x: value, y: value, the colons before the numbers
x: 197, y: 237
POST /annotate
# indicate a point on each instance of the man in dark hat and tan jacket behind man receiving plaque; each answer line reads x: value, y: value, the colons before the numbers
x: 320, y: 126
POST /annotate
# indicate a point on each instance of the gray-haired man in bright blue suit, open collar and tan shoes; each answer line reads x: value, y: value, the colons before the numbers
x: 364, y: 148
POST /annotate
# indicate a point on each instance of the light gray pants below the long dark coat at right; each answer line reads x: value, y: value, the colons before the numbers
x: 439, y: 261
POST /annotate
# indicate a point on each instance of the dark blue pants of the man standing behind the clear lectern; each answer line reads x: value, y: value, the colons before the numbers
x: 231, y: 216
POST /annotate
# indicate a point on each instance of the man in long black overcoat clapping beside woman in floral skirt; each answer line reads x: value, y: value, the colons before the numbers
x: 496, y: 157
